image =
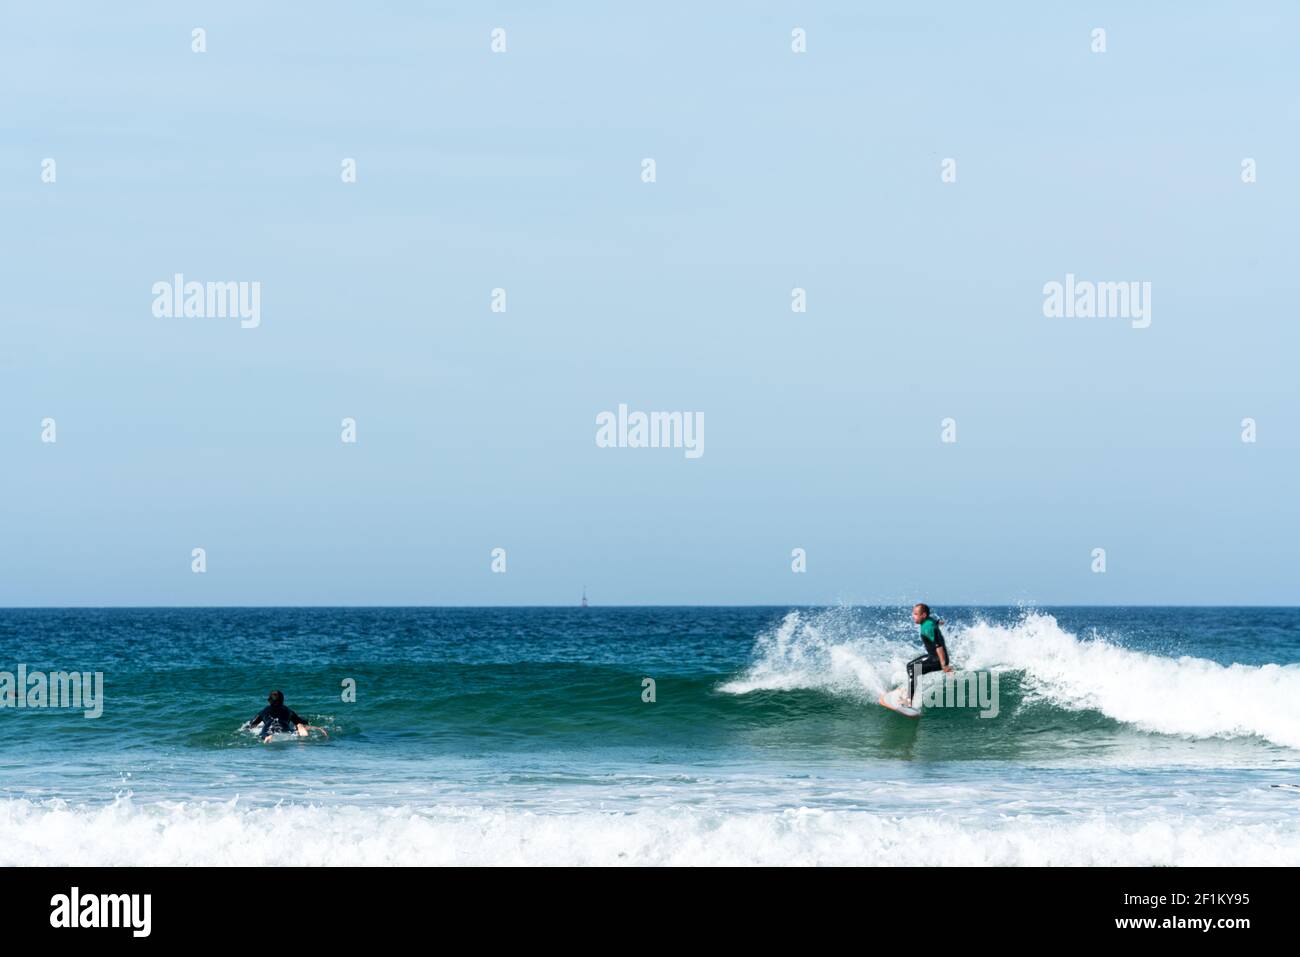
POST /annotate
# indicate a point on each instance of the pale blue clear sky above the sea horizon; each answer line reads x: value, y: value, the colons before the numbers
x: 523, y: 171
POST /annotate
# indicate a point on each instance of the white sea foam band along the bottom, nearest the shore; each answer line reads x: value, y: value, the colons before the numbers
x: 228, y: 834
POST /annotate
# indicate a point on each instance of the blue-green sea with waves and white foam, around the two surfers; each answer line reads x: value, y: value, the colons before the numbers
x: 1133, y: 737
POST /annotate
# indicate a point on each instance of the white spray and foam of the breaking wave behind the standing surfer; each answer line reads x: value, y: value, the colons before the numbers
x: 1190, y: 698
